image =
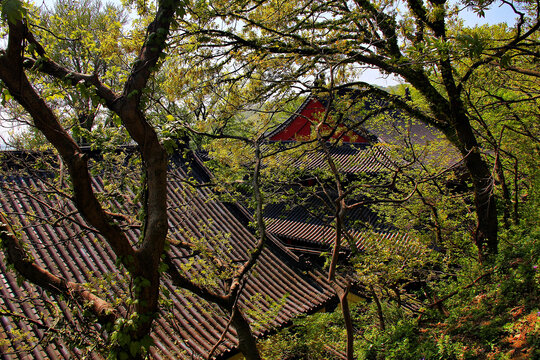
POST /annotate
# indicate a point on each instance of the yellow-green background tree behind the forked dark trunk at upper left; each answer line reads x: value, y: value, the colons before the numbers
x: 85, y: 37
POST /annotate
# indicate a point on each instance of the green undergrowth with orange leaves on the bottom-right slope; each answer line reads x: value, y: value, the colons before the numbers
x: 493, y: 314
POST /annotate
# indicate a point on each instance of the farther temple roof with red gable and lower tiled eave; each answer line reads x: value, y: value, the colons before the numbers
x: 367, y: 154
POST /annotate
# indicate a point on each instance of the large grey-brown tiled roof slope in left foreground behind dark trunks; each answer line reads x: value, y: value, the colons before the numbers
x: 187, y: 328
